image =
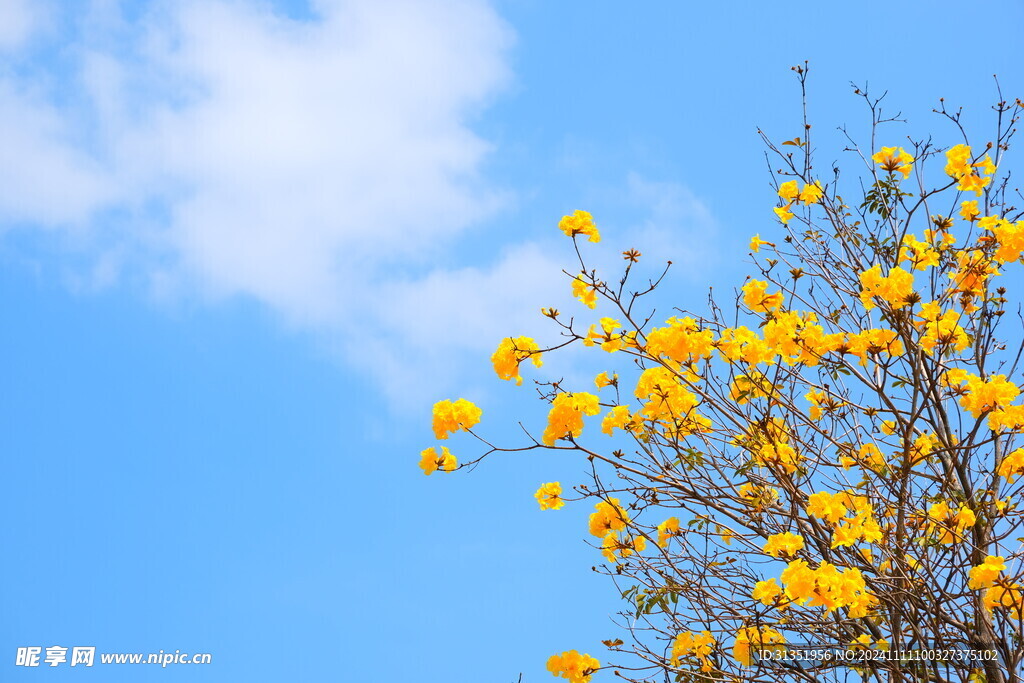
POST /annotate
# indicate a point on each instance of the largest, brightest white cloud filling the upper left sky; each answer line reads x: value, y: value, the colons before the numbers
x: 287, y: 160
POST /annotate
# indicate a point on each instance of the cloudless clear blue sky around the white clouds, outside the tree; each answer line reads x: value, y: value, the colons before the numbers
x: 203, y: 477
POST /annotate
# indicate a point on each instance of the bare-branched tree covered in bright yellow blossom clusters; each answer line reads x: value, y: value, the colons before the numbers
x: 822, y: 478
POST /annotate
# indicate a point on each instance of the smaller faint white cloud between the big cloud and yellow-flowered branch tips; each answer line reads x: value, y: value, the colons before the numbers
x: 426, y: 335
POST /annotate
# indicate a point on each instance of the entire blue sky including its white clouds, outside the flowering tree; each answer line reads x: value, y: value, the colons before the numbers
x: 245, y: 246
